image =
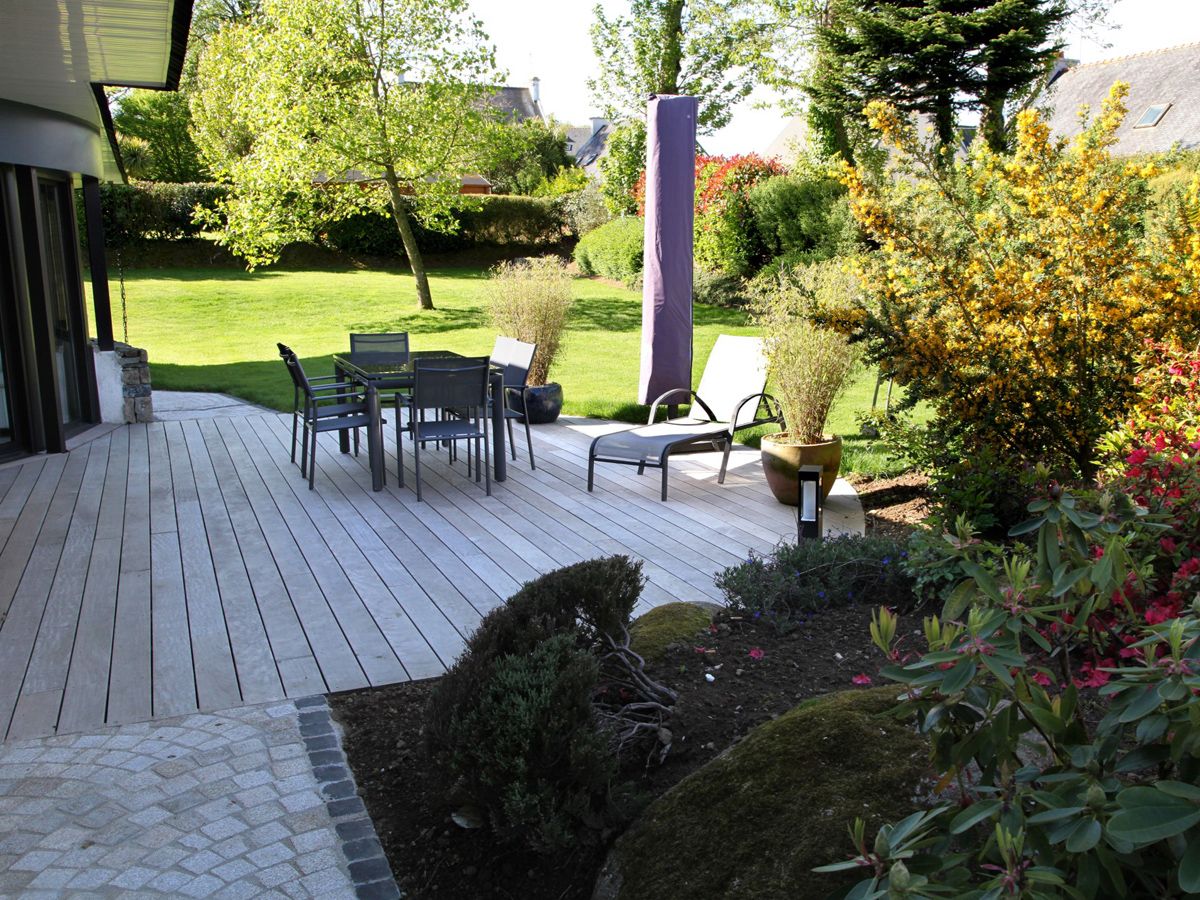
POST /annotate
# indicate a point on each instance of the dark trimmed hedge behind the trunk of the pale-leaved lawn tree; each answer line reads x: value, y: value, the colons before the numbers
x: 535, y: 223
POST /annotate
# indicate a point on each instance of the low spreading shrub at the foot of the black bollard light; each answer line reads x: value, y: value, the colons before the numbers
x: 819, y: 574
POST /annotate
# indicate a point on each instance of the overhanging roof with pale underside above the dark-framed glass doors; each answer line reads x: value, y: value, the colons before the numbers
x: 55, y: 57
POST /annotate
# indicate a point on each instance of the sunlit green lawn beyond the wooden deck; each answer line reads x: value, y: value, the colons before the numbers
x: 217, y: 329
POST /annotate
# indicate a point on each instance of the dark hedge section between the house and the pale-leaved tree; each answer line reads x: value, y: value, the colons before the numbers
x: 152, y: 212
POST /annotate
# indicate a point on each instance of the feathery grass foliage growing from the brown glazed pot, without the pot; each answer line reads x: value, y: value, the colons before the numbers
x: 811, y: 365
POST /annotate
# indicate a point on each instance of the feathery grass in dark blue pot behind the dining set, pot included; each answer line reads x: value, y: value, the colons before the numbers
x: 530, y: 301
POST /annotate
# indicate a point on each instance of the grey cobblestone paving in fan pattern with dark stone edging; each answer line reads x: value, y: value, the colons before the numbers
x: 212, y: 806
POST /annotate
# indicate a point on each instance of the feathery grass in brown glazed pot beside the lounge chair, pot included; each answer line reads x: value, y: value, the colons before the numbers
x: 811, y: 368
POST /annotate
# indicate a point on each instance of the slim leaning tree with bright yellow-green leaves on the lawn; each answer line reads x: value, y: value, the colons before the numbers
x: 343, y: 91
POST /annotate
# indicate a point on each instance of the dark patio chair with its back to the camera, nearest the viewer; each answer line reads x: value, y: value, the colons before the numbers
x: 440, y: 385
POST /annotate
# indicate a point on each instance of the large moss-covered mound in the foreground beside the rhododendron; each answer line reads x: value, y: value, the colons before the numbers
x: 754, y: 823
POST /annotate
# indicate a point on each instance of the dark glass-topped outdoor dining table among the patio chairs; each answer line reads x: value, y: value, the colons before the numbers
x: 385, y: 371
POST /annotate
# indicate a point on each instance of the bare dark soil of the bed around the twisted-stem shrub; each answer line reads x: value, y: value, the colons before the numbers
x: 435, y: 860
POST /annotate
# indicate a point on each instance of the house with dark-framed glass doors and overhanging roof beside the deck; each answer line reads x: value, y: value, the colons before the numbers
x: 61, y: 369
